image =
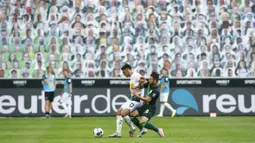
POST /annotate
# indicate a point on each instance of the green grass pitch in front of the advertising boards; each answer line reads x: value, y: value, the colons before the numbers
x: 79, y: 130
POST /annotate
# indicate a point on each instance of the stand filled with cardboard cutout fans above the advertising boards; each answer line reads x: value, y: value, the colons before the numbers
x: 93, y: 38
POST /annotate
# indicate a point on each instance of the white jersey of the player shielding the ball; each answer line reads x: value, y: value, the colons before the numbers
x: 134, y: 82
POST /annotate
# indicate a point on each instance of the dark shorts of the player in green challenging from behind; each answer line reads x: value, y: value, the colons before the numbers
x: 146, y: 111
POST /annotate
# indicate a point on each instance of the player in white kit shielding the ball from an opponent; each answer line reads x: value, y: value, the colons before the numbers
x: 131, y: 104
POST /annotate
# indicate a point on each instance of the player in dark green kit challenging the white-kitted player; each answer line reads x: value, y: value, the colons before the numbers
x: 147, y: 111
